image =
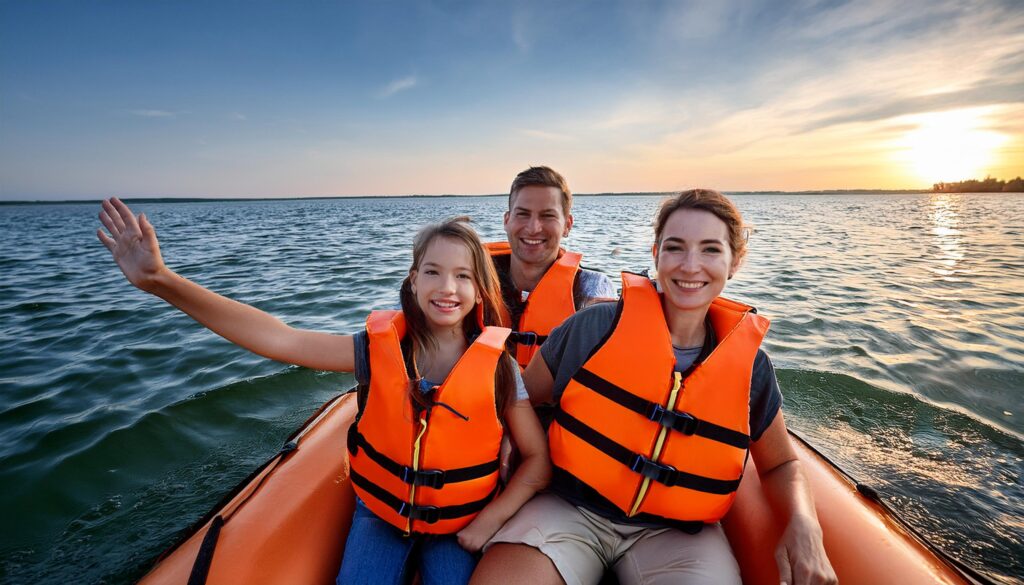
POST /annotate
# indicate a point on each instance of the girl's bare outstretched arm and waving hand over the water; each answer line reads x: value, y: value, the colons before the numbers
x: 134, y: 244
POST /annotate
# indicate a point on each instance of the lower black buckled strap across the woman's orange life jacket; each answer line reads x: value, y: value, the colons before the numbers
x: 660, y: 473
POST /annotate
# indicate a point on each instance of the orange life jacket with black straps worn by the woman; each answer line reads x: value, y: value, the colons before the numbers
x: 635, y: 433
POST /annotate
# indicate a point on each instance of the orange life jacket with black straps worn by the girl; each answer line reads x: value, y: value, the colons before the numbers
x: 428, y: 472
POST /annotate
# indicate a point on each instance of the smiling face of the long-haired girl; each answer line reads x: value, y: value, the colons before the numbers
x: 444, y: 284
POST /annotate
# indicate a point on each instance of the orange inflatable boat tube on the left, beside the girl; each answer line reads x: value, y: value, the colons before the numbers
x: 287, y: 524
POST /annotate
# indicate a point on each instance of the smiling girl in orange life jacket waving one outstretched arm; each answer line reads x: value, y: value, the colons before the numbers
x: 425, y: 446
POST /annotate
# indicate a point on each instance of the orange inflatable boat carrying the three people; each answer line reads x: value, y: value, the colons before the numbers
x: 286, y: 524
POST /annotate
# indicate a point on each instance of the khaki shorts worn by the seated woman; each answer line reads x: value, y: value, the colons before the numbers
x: 584, y: 546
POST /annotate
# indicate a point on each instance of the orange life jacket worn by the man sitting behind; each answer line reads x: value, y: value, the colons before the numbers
x: 548, y: 306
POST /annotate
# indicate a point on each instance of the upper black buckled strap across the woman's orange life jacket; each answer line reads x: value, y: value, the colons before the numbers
x: 676, y: 421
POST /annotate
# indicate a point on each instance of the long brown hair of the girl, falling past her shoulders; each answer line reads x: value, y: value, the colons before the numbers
x: 486, y: 280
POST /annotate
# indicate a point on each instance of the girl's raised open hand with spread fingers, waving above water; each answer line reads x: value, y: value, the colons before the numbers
x: 133, y: 243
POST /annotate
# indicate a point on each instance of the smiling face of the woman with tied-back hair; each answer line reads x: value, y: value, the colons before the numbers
x: 694, y: 261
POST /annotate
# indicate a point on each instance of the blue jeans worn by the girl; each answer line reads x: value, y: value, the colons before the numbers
x: 378, y: 554
